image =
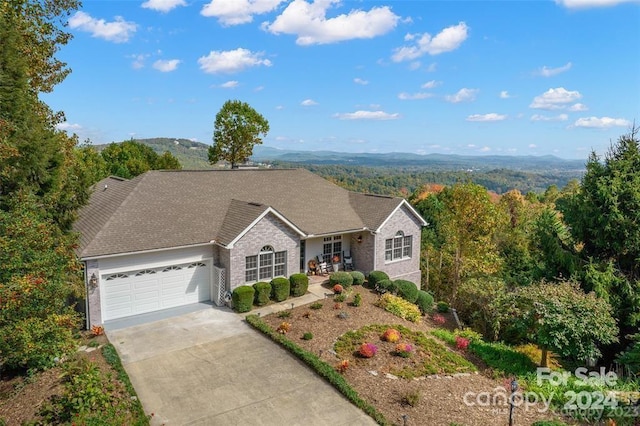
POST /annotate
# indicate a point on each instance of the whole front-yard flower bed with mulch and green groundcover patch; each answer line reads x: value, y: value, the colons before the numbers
x: 428, y: 385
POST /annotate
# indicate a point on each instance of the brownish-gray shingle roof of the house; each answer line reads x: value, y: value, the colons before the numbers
x: 162, y: 209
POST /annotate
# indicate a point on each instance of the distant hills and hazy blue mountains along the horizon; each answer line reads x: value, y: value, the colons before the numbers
x: 193, y: 155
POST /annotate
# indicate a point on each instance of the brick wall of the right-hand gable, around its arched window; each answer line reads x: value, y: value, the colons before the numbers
x: 407, y: 269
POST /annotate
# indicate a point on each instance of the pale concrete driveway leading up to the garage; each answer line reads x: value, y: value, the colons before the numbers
x: 210, y: 368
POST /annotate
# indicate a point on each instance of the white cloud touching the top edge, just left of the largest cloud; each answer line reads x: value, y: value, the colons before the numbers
x: 235, y: 12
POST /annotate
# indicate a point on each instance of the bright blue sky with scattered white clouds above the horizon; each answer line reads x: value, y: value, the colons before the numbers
x: 459, y: 77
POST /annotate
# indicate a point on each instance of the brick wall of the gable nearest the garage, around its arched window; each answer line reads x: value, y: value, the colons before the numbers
x: 268, y: 231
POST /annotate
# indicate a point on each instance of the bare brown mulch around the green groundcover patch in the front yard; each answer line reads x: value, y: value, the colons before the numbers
x: 441, y: 396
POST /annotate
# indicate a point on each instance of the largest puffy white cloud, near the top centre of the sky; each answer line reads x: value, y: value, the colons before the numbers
x: 308, y: 21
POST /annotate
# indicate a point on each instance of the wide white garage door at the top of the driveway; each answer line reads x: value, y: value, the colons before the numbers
x: 147, y: 290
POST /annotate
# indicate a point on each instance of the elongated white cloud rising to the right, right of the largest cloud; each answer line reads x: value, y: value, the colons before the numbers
x: 445, y: 41
